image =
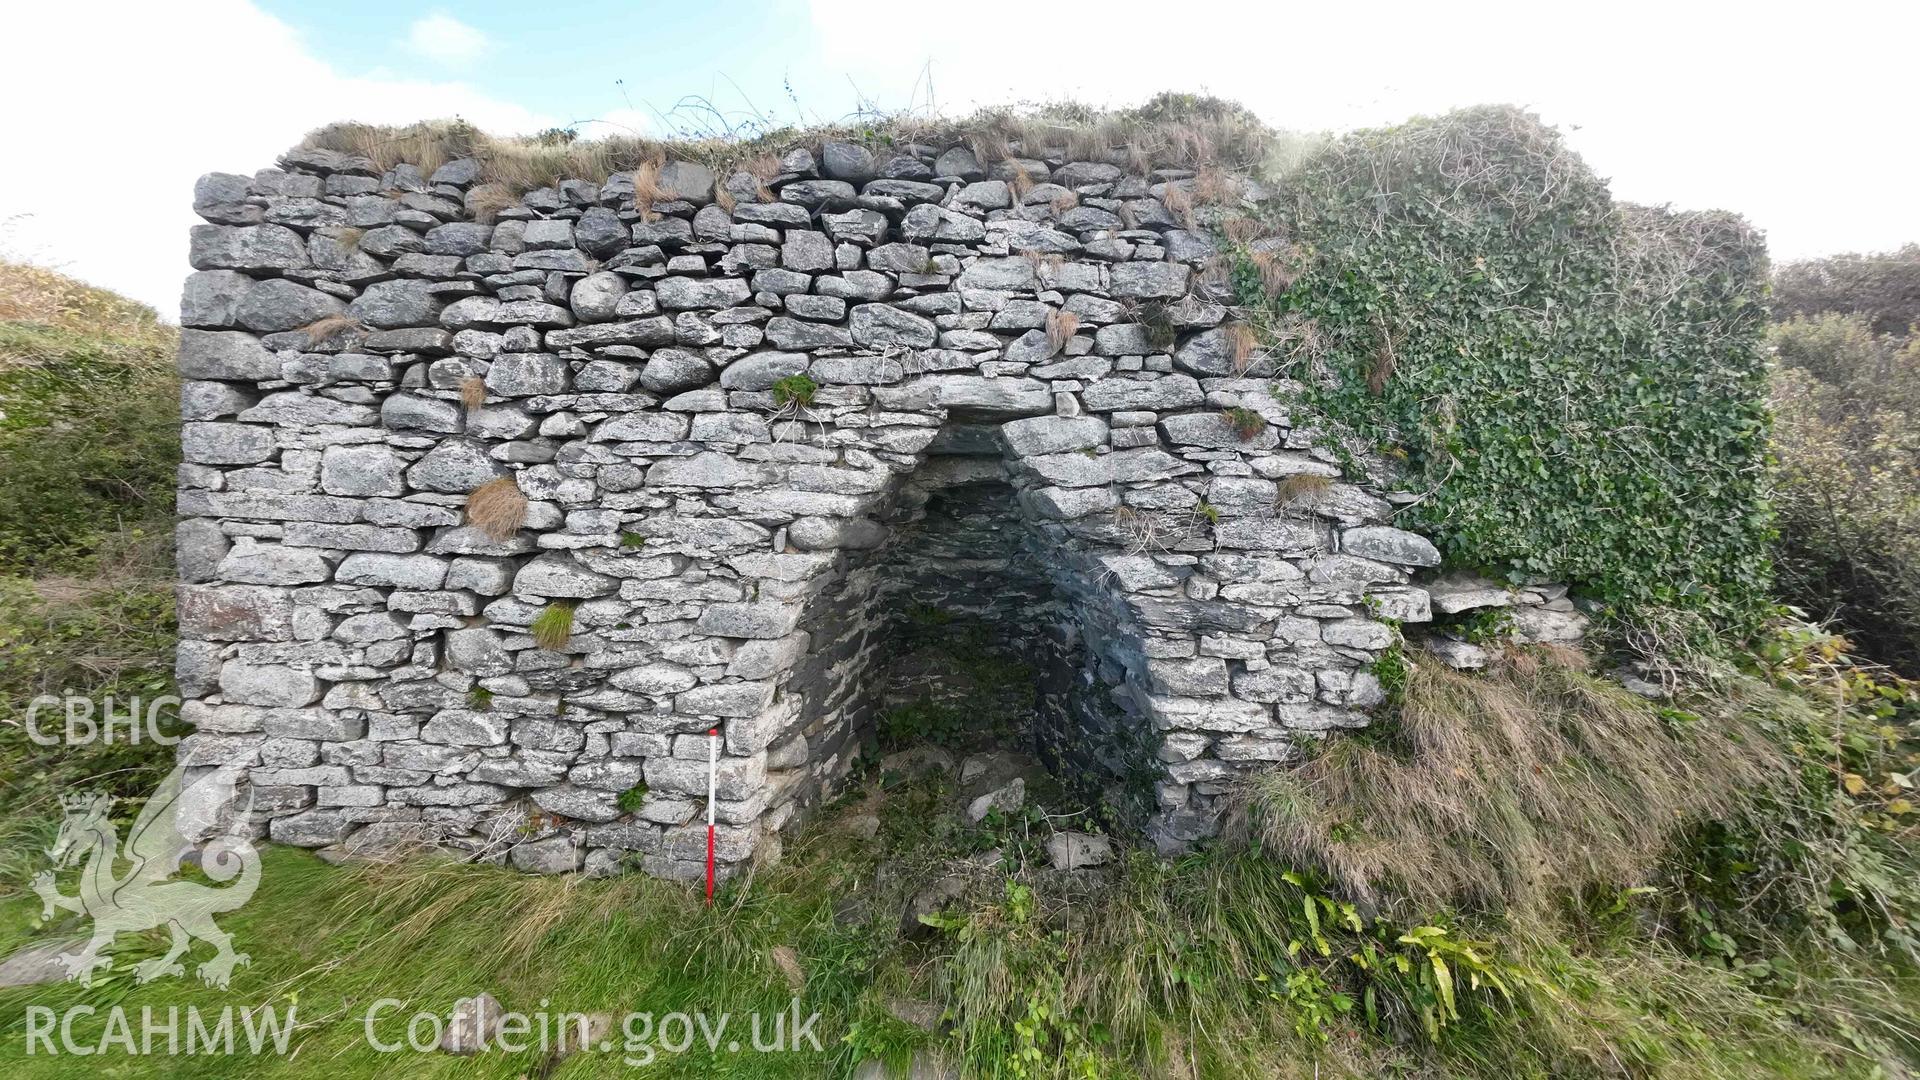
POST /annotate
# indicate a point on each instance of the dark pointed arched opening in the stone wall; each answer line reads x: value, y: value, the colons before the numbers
x: 978, y: 627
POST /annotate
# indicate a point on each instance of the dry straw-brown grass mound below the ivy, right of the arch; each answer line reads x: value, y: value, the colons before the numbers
x: 1508, y: 791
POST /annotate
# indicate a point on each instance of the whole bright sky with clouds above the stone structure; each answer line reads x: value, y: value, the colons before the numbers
x: 1804, y: 120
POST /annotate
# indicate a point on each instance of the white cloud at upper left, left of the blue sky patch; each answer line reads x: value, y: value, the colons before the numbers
x: 107, y: 132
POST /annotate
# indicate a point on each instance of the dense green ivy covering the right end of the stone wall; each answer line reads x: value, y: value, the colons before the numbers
x: 1575, y: 385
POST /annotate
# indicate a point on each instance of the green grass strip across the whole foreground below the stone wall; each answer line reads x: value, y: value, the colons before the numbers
x: 1195, y: 968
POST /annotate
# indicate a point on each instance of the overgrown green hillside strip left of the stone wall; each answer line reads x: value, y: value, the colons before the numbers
x: 87, y: 456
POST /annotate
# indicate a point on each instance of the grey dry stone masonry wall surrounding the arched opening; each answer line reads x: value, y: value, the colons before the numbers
x: 759, y: 422
